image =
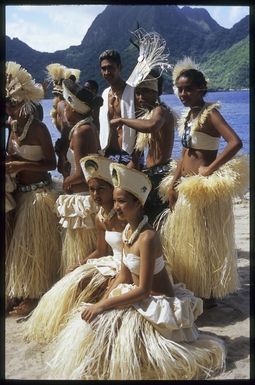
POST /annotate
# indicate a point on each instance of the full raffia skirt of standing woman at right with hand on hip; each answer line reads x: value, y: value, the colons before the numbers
x: 198, y: 236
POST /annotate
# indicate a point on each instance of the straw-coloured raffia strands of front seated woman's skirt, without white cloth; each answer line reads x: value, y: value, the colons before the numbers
x: 120, y: 344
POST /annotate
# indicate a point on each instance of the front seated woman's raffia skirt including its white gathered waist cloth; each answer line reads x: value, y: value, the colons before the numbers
x: 153, y: 339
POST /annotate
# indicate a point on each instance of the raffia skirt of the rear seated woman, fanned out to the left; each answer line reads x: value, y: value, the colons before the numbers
x: 87, y: 283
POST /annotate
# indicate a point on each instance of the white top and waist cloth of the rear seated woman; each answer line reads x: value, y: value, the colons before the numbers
x: 109, y: 265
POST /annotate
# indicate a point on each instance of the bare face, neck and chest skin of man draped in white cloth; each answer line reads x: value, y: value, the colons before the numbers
x: 111, y: 73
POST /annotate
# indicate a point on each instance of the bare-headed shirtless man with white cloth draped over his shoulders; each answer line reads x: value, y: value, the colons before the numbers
x: 117, y: 144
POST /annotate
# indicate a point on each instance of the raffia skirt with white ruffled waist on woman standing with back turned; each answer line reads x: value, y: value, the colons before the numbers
x: 77, y: 218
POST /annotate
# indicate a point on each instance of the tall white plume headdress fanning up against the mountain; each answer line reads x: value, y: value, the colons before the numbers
x: 151, y: 56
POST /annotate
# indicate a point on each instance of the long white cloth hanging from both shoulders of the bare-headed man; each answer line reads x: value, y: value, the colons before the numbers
x: 127, y: 108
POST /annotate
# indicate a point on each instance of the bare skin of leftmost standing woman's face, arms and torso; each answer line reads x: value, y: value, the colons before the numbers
x: 29, y: 171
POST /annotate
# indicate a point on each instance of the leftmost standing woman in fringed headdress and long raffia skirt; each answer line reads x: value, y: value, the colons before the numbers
x: 33, y: 254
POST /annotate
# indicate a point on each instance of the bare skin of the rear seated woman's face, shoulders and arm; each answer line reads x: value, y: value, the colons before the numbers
x: 101, y: 192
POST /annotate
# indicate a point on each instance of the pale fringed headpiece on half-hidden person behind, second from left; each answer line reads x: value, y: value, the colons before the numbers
x: 57, y: 73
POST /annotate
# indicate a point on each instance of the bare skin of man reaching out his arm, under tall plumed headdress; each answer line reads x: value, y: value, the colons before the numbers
x: 160, y: 126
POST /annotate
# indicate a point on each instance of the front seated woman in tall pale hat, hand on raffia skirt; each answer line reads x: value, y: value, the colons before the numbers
x: 143, y: 327
